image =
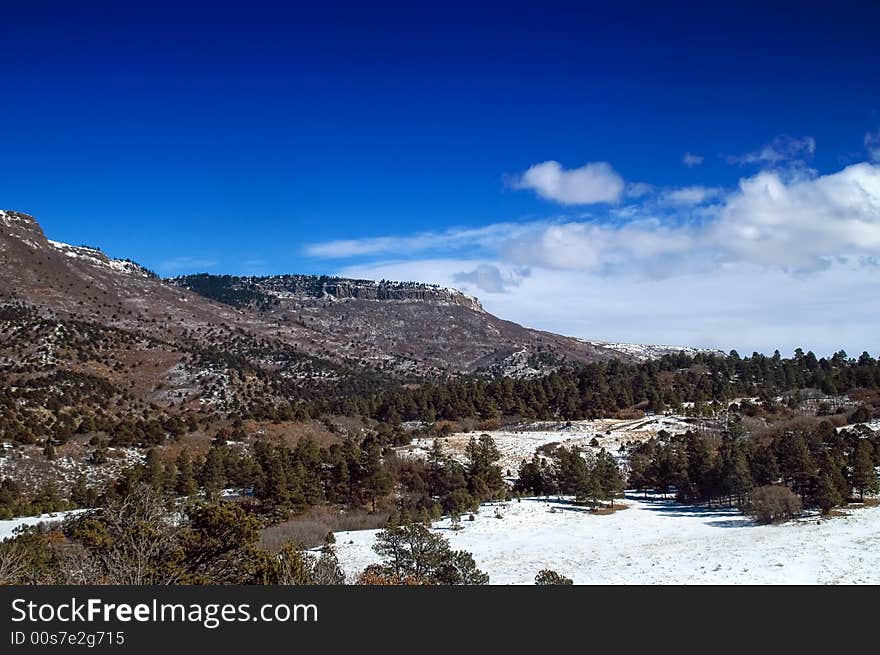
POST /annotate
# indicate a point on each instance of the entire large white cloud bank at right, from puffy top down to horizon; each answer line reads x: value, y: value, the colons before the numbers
x: 784, y: 260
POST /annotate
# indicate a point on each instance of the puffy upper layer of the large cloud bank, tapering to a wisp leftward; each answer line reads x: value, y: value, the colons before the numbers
x: 793, y: 222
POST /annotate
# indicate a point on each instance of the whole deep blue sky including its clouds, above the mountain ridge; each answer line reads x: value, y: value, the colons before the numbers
x: 689, y: 174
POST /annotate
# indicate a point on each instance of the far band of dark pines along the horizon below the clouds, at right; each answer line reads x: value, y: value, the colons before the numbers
x: 602, y: 388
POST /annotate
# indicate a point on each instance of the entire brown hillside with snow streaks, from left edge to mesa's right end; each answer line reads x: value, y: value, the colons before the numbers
x: 226, y: 343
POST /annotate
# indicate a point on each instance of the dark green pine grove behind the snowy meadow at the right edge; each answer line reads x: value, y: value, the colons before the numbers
x: 823, y: 467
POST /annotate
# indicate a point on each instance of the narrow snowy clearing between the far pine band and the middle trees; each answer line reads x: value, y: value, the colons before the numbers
x: 517, y: 445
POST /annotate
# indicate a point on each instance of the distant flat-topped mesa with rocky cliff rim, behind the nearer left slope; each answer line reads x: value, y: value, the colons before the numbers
x: 401, y: 327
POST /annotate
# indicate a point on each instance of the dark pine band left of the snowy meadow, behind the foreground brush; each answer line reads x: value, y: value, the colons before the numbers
x: 278, y: 481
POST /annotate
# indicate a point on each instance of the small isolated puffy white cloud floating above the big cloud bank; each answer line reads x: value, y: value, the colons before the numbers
x: 591, y: 183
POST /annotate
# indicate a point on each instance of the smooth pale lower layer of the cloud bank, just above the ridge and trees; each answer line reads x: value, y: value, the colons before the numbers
x: 742, y: 306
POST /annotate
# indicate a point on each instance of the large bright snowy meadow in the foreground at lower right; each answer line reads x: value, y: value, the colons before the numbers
x: 653, y: 542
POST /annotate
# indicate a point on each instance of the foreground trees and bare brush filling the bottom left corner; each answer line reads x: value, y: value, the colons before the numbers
x: 148, y: 537
